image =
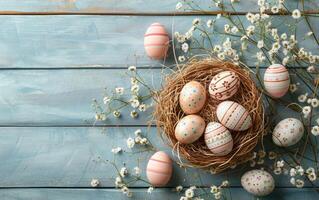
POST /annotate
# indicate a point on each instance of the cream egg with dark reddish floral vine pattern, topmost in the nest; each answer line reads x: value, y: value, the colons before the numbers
x: 224, y: 85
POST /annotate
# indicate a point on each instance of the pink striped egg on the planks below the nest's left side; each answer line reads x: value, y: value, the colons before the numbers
x: 159, y: 169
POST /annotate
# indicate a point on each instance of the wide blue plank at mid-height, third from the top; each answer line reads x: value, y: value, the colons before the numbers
x: 64, y: 97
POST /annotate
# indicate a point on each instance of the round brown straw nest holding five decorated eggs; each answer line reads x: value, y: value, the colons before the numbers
x: 168, y: 112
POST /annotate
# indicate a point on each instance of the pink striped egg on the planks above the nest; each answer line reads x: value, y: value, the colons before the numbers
x: 156, y: 41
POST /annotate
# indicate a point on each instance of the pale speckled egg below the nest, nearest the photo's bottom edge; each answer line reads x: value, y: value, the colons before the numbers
x: 258, y: 182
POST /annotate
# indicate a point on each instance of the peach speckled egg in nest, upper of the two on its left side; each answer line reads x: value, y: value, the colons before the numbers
x: 192, y: 97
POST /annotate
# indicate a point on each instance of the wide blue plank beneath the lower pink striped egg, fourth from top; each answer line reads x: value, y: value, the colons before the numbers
x: 70, y: 157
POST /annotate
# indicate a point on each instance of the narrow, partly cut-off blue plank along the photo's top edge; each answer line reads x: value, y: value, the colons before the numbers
x: 124, y: 6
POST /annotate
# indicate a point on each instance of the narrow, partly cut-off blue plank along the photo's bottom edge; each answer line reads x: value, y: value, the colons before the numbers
x: 158, y: 194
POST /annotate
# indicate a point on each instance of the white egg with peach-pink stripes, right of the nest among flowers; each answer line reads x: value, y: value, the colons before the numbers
x: 276, y: 80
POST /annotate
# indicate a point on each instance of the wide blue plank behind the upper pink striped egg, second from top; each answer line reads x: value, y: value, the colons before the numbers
x: 102, y: 41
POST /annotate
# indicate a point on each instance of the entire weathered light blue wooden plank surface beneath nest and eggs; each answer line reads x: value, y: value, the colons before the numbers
x: 62, y: 153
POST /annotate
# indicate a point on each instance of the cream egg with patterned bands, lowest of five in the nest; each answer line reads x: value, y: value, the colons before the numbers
x: 218, y: 139
